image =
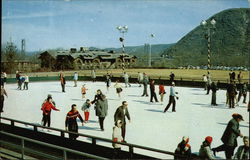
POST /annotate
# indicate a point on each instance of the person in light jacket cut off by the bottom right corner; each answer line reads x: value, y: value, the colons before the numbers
x: 243, y: 151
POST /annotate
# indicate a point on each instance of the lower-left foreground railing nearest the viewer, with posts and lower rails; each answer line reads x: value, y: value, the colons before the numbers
x: 23, y: 149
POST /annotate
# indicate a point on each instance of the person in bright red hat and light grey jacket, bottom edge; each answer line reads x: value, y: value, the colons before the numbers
x: 205, y: 151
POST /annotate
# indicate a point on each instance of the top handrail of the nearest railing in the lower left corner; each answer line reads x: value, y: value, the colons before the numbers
x: 52, y: 146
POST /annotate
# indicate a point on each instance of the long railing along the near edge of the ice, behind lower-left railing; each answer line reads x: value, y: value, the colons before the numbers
x: 93, y: 138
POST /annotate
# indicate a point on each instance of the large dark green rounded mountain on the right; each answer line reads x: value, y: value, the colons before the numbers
x: 230, y: 41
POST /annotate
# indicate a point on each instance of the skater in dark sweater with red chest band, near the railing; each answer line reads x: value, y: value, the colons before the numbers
x: 70, y: 122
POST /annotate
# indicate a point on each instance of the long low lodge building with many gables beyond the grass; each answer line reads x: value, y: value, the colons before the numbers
x: 84, y: 59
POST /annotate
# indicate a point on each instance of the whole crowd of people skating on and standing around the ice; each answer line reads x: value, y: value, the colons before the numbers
x: 100, y: 104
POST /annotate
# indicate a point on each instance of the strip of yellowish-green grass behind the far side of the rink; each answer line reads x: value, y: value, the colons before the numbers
x: 184, y: 74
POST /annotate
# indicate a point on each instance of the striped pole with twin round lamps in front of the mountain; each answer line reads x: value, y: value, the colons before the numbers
x: 208, y: 26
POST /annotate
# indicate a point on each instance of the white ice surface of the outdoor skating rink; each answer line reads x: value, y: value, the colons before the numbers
x: 194, y: 116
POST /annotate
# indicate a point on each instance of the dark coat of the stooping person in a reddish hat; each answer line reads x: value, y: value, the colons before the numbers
x: 231, y: 133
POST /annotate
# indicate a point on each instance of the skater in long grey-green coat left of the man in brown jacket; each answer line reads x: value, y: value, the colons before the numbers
x: 101, y: 110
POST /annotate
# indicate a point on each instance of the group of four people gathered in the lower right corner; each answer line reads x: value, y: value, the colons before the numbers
x: 229, y: 144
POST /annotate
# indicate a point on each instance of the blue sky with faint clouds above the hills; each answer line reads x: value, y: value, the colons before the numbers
x: 50, y: 24
